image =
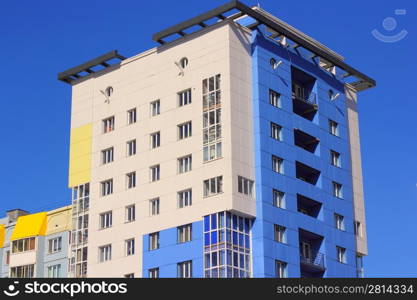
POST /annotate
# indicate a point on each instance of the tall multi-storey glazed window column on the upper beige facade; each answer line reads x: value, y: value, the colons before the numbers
x: 212, y: 131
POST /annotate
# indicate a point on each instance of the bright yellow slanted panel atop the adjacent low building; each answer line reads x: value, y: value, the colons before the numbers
x: 29, y: 225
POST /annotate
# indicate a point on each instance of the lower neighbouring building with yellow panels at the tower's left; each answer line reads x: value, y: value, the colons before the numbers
x: 35, y: 245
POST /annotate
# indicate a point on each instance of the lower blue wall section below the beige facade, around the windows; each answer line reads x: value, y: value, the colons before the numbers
x: 170, y: 252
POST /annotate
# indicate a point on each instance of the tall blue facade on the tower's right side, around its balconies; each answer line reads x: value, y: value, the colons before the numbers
x: 265, y: 249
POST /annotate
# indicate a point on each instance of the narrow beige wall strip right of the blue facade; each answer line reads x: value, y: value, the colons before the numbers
x: 358, y: 196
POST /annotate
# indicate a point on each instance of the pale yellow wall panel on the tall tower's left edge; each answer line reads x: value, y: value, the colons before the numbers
x: 80, y: 155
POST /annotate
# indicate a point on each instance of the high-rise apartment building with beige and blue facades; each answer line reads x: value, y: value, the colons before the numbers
x: 229, y: 150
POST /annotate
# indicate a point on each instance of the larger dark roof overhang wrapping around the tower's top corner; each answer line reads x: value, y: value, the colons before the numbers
x: 235, y: 10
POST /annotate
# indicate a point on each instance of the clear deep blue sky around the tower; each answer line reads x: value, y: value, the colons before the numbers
x: 38, y: 39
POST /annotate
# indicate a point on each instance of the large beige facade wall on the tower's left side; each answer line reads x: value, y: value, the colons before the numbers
x: 137, y: 82
